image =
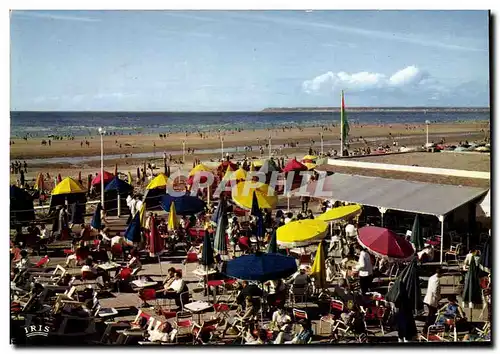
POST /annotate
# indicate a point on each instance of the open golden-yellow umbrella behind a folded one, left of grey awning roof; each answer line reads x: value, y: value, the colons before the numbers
x: 243, y: 193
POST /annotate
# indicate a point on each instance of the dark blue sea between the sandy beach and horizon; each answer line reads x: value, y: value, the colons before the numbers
x: 45, y: 124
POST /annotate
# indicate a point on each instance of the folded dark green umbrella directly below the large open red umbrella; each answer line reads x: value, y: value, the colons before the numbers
x: 410, y: 280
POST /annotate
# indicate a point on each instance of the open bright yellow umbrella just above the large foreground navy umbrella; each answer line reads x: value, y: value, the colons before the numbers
x: 301, y: 233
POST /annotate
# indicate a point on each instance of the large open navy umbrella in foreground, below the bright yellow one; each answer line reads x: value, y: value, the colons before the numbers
x: 261, y: 267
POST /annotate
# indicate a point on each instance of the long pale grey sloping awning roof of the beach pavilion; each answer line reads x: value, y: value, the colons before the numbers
x: 393, y: 194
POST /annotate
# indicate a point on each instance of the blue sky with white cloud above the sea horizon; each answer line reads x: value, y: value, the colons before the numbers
x: 246, y: 60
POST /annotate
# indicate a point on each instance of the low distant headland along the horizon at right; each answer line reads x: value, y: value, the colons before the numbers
x: 378, y: 109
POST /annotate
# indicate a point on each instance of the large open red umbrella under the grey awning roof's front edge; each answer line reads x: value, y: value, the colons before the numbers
x: 384, y: 243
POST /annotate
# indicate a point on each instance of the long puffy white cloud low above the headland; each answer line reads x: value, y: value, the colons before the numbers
x: 363, y: 81
